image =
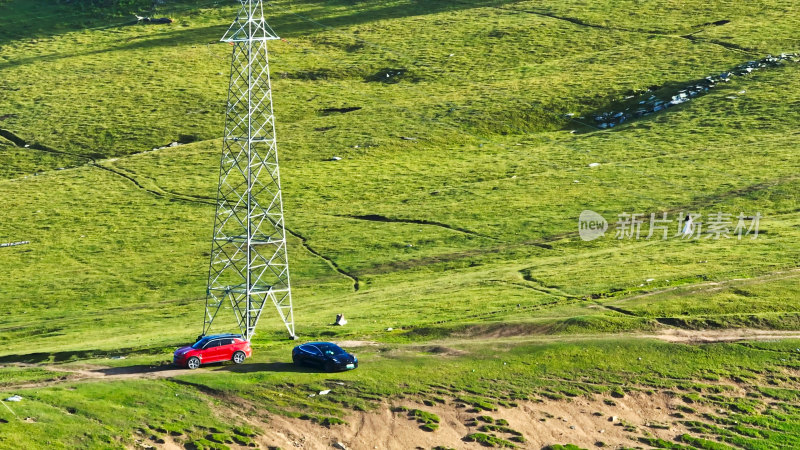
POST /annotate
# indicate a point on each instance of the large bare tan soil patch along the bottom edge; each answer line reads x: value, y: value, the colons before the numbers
x: 580, y: 421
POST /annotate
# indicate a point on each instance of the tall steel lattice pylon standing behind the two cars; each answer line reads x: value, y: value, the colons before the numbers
x: 249, y: 265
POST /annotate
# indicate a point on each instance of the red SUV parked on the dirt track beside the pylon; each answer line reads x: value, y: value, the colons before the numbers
x: 216, y: 348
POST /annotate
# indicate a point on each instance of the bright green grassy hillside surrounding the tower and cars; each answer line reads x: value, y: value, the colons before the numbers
x: 451, y: 217
